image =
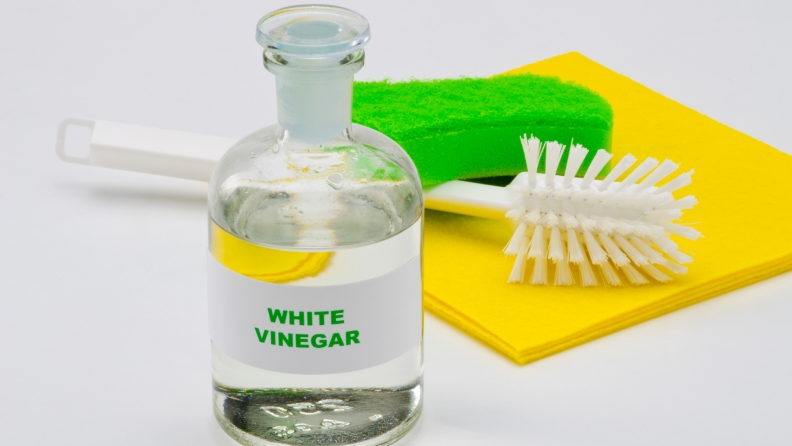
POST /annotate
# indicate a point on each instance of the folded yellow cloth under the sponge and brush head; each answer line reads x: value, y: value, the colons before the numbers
x: 743, y: 191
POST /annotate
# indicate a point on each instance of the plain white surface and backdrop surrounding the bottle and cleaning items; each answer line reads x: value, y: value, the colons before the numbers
x: 103, y: 333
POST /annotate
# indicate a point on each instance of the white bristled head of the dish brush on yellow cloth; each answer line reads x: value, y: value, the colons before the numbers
x: 624, y: 228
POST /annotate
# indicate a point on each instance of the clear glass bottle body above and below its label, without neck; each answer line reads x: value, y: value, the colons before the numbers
x: 271, y: 193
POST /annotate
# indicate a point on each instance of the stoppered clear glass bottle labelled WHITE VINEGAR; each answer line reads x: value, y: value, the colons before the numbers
x: 315, y: 255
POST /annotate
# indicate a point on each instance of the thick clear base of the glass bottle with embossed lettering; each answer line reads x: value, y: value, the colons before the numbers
x: 364, y: 417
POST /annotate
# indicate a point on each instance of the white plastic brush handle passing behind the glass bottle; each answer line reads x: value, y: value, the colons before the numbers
x: 193, y: 156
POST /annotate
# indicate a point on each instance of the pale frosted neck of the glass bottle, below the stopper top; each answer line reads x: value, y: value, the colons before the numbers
x: 314, y: 97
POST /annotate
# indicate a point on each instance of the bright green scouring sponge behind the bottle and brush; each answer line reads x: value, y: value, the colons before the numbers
x: 469, y: 128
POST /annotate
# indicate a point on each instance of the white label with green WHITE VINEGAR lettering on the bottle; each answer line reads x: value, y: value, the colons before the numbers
x: 315, y: 329
